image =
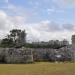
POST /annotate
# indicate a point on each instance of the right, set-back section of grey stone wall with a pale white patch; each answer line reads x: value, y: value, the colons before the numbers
x: 63, y: 54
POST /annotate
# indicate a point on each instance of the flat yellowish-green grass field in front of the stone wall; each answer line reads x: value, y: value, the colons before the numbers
x: 41, y: 68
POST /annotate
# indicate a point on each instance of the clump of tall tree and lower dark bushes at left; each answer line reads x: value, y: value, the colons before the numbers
x: 16, y: 38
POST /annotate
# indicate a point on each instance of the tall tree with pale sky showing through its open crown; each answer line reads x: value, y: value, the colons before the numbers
x: 18, y: 37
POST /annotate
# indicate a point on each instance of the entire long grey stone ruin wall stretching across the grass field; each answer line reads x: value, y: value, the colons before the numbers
x: 29, y: 55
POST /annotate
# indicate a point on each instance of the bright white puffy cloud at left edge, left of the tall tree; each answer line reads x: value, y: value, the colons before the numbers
x: 5, y: 24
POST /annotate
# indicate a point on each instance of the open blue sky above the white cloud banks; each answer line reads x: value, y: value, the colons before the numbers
x: 43, y: 10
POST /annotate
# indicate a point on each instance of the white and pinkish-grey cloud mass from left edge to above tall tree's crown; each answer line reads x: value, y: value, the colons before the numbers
x: 9, y: 22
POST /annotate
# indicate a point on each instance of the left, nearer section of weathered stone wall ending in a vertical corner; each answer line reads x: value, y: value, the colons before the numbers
x: 13, y: 55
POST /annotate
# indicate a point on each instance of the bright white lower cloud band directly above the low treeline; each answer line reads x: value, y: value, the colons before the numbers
x: 38, y: 35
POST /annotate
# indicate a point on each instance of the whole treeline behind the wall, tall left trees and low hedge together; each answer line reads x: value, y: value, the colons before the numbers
x: 17, y: 38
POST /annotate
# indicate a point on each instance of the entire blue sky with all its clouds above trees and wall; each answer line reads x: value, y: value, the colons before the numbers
x: 43, y: 20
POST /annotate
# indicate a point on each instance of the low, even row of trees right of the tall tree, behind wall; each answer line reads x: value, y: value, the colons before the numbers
x: 54, y: 44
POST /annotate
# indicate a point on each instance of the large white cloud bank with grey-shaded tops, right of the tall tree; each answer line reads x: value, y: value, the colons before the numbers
x: 47, y: 30
